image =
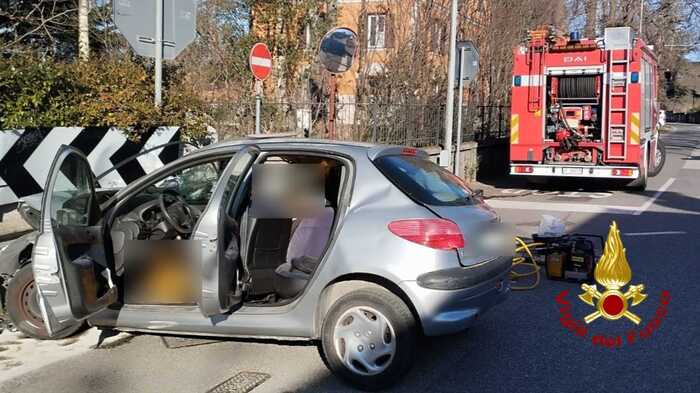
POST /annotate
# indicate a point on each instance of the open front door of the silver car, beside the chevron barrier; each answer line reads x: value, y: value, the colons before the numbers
x: 69, y: 258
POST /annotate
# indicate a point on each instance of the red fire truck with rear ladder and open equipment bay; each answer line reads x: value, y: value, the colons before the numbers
x: 585, y: 107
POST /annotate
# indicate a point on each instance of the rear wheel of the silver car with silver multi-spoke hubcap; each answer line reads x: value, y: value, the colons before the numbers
x: 373, y: 321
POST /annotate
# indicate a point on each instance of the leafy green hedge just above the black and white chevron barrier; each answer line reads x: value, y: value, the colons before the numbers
x: 103, y: 92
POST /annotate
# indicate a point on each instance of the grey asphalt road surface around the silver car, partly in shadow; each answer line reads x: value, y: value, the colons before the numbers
x: 520, y: 346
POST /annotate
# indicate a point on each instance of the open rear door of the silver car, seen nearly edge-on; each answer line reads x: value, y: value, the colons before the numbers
x: 220, y: 275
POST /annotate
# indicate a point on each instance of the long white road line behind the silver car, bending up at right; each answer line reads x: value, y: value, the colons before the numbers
x: 580, y: 207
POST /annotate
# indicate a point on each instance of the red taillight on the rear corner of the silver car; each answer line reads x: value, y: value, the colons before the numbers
x: 435, y: 233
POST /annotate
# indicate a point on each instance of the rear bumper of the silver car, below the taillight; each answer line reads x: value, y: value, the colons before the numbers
x: 448, y: 301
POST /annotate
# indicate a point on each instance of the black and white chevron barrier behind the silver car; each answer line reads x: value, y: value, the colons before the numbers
x: 26, y: 156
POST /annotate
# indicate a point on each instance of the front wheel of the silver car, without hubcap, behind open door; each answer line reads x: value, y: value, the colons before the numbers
x: 23, y: 308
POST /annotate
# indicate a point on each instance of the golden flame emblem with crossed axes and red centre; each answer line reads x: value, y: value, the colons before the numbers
x: 613, y: 273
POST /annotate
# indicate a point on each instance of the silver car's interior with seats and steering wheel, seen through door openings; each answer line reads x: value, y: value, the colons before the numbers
x: 274, y: 257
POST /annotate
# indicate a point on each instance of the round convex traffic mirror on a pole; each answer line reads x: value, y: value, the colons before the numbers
x: 338, y: 49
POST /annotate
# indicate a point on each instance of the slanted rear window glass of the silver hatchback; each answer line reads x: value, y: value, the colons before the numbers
x: 424, y: 181
